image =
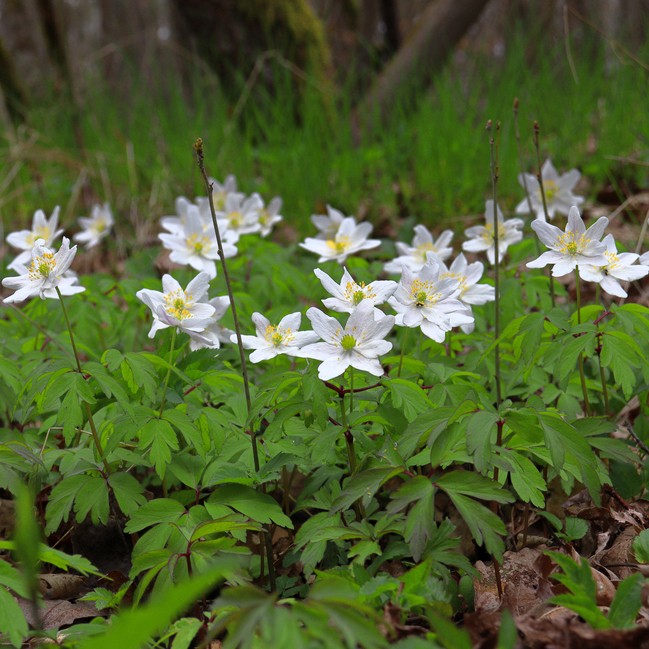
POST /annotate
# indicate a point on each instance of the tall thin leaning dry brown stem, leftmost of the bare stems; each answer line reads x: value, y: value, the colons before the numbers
x: 198, y: 147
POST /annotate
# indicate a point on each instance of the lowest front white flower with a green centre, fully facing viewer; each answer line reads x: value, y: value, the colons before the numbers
x: 358, y: 345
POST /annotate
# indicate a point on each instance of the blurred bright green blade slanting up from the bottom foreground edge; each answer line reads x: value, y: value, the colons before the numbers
x: 137, y: 627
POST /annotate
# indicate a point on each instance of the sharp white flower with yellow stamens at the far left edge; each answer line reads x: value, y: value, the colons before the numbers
x: 46, y: 272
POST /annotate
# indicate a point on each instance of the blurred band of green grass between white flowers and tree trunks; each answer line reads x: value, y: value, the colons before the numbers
x: 431, y: 162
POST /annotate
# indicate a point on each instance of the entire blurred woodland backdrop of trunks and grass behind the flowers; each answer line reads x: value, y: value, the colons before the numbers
x: 375, y: 106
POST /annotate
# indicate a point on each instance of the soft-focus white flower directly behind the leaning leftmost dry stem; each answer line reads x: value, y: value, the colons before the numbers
x: 195, y: 244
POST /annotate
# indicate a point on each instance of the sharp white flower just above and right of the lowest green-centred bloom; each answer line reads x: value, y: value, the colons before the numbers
x: 426, y: 300
